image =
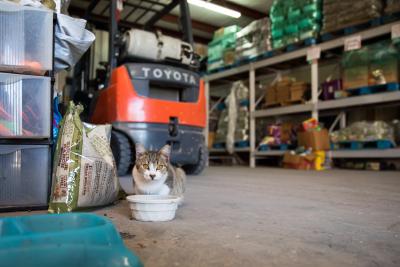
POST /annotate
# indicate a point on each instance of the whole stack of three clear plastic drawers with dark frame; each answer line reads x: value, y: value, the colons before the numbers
x: 26, y: 60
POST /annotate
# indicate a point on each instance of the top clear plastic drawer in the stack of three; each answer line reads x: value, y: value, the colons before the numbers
x: 26, y: 38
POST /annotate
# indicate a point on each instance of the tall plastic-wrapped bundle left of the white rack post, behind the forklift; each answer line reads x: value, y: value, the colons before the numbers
x: 233, y: 124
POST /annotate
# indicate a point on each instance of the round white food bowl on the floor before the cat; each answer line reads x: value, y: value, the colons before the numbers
x: 153, y: 208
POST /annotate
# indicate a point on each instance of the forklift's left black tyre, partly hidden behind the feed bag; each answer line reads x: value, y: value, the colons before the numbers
x: 122, y: 152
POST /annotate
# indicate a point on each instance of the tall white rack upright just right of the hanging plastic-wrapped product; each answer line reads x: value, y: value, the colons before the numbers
x: 252, y: 85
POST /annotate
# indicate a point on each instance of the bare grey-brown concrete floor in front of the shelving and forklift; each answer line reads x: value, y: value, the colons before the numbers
x: 274, y: 217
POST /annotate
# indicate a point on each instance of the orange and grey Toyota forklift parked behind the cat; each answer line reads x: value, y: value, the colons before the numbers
x: 153, y: 94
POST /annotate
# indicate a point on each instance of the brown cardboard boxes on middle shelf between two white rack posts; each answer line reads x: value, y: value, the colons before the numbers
x: 286, y: 91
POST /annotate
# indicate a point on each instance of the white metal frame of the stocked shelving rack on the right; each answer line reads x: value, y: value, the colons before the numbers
x: 314, y: 106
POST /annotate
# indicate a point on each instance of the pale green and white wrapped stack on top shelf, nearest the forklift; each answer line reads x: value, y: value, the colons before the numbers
x: 221, y: 50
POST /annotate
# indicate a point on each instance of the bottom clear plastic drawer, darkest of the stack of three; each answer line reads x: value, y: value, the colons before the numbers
x: 24, y: 175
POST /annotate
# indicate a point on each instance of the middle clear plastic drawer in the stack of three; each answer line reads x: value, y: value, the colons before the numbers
x: 25, y: 110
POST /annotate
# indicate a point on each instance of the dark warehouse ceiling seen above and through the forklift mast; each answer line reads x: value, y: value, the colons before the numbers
x: 136, y: 13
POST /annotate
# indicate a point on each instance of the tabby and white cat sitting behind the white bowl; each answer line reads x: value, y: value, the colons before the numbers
x: 154, y: 175
